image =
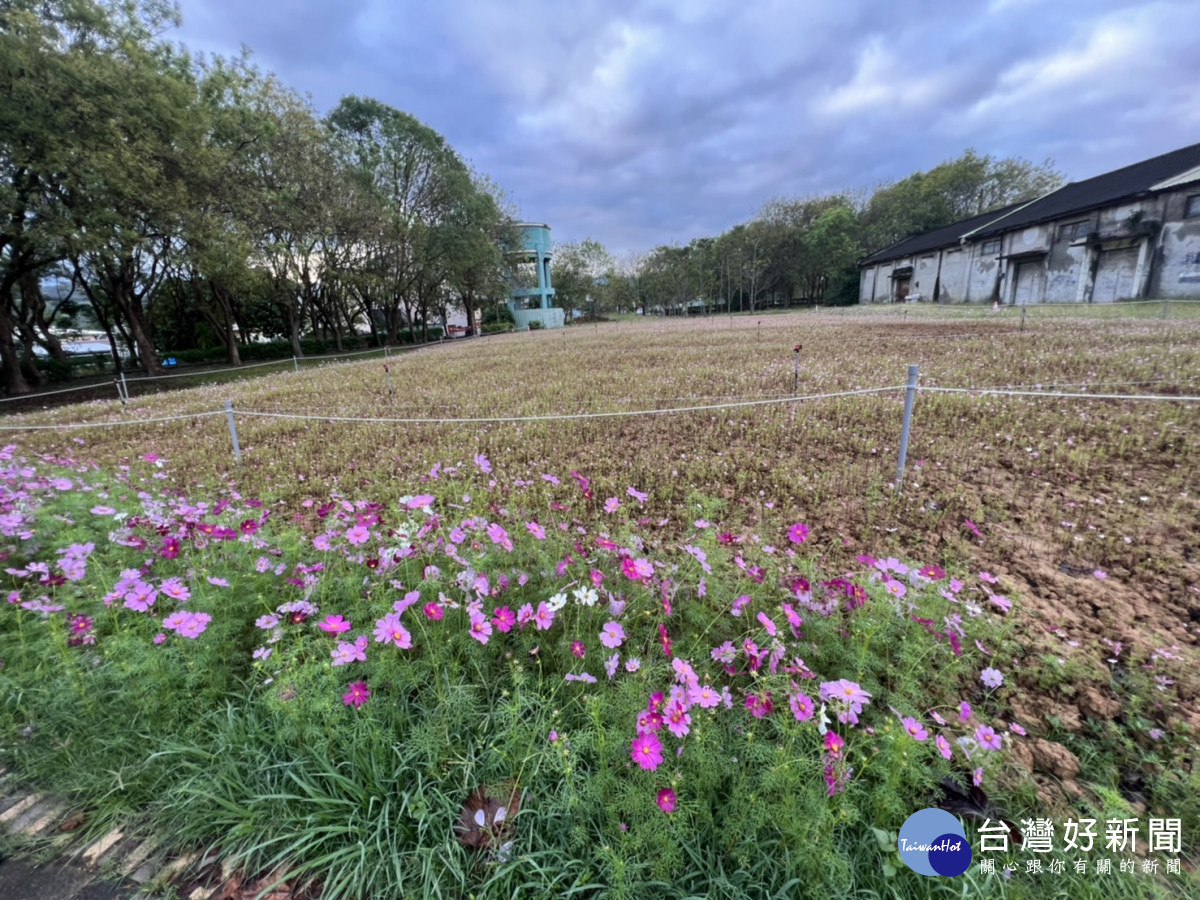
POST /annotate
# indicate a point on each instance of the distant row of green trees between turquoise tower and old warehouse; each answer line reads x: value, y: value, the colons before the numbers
x: 803, y: 249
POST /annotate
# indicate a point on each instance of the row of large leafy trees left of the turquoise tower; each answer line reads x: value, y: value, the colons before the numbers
x: 184, y: 200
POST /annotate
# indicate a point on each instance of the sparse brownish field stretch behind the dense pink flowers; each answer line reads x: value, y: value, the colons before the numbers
x: 1085, y: 509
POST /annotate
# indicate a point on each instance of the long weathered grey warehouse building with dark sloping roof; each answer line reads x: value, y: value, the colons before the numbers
x: 1127, y: 235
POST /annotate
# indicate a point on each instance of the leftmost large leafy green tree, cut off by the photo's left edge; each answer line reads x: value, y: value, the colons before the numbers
x: 91, y: 93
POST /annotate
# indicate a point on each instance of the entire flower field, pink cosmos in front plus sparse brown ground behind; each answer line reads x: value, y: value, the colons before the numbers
x: 703, y: 653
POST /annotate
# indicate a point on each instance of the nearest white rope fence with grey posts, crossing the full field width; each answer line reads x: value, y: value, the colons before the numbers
x: 911, y: 389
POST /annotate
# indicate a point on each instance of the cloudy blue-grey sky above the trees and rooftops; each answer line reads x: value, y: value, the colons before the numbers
x: 641, y: 123
